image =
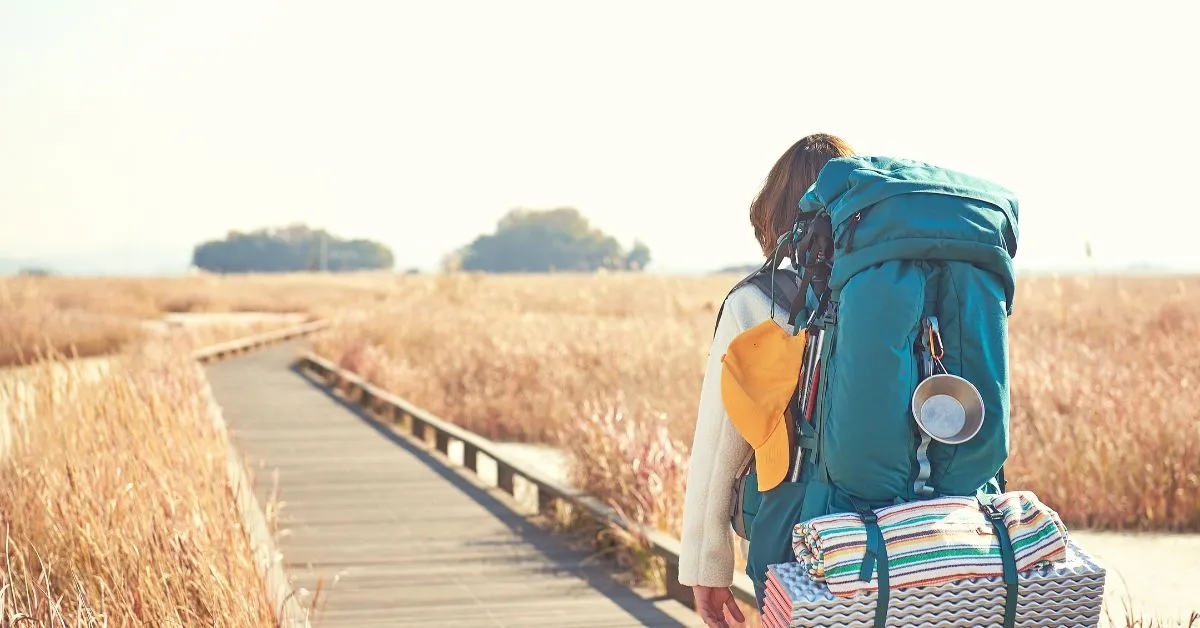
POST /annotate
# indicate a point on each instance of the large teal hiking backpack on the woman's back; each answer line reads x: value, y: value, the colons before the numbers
x: 901, y: 260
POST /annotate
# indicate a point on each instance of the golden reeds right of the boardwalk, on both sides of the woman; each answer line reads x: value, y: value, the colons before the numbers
x: 1106, y: 382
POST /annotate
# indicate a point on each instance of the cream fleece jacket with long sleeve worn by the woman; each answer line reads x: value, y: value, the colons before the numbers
x: 718, y: 451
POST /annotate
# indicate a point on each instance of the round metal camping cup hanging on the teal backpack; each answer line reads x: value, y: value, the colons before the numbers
x: 949, y: 409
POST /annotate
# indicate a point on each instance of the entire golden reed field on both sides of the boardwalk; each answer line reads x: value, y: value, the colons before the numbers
x: 113, y: 492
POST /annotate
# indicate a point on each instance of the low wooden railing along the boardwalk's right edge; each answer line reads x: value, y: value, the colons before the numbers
x: 525, y: 485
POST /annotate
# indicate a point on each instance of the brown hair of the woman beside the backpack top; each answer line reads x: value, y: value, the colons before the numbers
x: 773, y: 212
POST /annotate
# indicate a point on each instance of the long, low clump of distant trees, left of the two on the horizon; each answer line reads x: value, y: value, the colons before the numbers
x: 290, y: 249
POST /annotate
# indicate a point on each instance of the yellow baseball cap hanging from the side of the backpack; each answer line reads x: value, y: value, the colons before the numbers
x: 760, y: 373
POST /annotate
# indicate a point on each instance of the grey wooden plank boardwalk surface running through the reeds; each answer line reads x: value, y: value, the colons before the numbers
x: 411, y: 542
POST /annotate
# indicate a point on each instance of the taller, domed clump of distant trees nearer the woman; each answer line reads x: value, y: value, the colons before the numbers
x: 547, y: 241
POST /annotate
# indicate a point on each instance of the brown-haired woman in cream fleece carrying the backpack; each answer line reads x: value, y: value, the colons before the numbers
x: 706, y: 561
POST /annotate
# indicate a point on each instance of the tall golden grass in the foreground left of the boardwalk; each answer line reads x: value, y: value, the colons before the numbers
x: 115, y: 500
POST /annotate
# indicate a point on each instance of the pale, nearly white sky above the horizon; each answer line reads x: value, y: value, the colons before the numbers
x: 157, y: 124
